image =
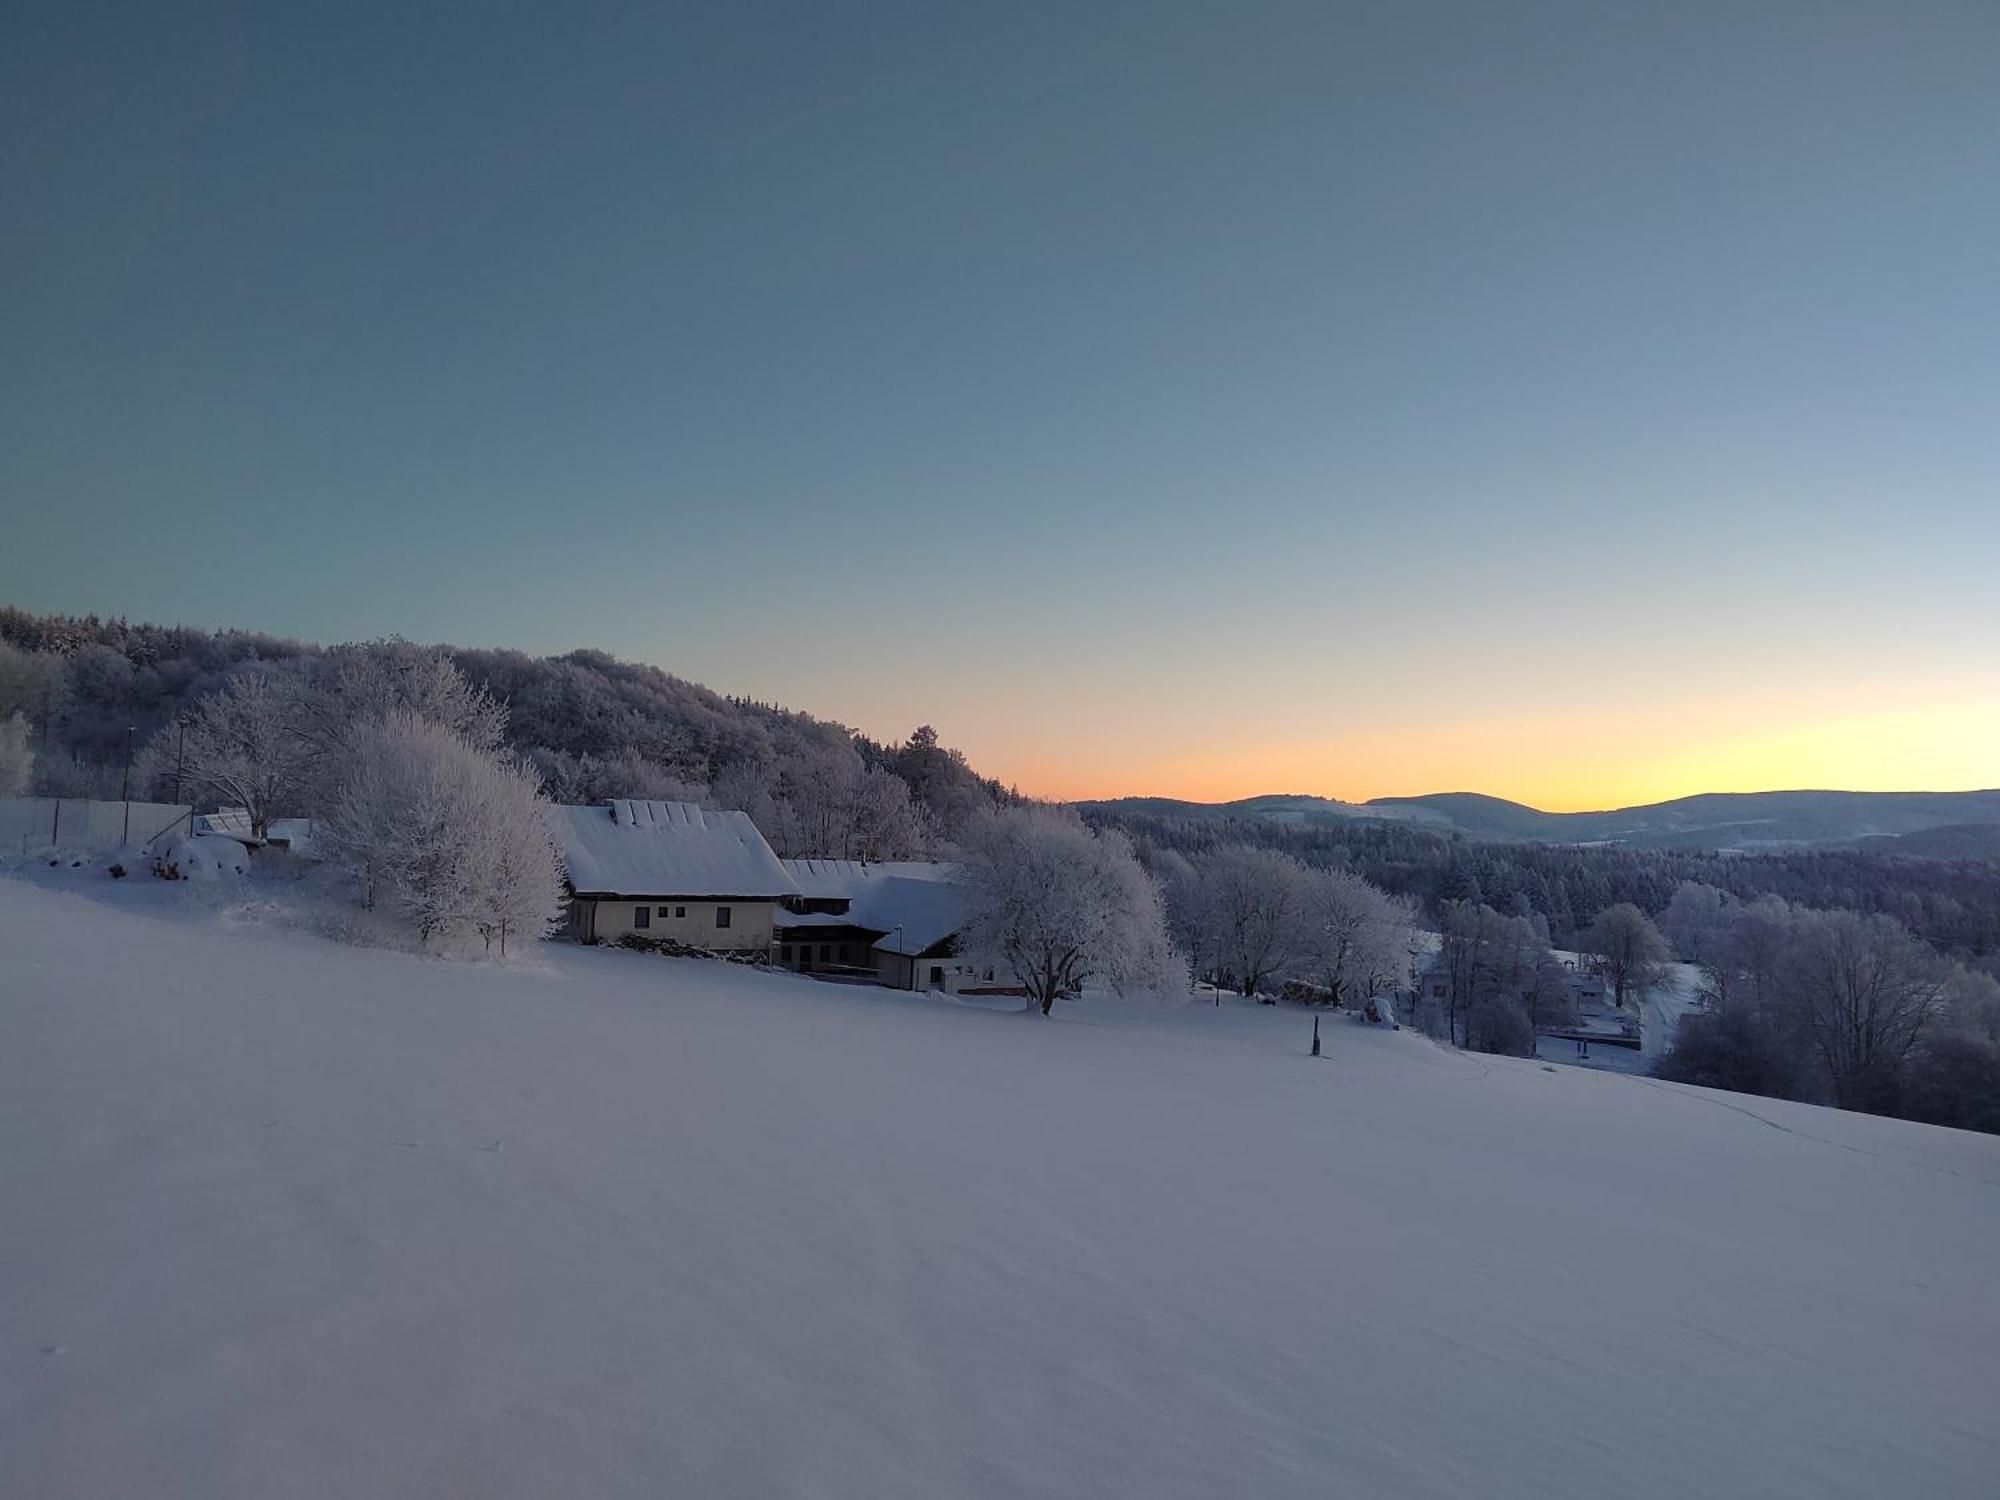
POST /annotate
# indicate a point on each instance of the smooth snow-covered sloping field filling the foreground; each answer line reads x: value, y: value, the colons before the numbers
x: 289, y: 1219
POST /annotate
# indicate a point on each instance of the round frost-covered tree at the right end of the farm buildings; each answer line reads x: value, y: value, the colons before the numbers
x: 1057, y: 905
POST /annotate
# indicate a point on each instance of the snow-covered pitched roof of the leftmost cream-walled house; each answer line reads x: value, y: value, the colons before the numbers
x: 667, y: 849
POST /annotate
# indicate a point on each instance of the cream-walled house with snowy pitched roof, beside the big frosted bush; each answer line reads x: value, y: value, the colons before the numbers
x: 673, y: 873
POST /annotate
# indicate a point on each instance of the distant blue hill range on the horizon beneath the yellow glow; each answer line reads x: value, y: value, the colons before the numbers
x: 1909, y: 823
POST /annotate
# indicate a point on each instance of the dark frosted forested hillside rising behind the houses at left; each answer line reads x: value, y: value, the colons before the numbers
x: 593, y: 725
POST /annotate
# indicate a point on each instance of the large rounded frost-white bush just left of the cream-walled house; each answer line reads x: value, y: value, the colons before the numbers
x: 445, y: 833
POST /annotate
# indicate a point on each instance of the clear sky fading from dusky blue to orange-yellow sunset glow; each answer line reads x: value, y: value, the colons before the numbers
x: 1577, y: 403
